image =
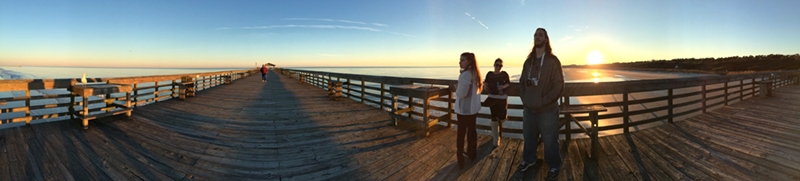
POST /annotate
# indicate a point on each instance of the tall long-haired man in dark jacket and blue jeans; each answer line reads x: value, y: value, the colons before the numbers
x: 541, y: 84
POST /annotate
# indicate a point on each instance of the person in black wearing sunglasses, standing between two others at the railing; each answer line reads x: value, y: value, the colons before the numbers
x: 496, y: 82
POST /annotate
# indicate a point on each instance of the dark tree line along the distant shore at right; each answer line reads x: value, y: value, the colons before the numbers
x: 772, y: 62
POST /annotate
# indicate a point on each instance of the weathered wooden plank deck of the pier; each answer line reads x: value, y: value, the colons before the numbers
x: 285, y: 130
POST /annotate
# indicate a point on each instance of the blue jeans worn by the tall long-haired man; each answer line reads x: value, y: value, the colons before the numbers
x: 546, y: 125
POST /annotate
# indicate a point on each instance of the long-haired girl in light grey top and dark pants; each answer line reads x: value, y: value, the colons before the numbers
x: 467, y: 105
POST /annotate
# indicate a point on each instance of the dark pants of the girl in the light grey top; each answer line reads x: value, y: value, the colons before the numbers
x: 466, y: 125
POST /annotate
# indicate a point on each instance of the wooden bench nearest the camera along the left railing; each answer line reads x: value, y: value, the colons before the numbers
x: 85, y: 91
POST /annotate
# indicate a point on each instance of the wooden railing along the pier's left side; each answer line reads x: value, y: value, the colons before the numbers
x: 49, y: 99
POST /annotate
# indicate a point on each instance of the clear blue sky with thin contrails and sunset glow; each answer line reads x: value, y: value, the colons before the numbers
x: 319, y: 33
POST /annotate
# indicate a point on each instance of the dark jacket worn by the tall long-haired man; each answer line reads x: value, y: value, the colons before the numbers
x: 544, y: 97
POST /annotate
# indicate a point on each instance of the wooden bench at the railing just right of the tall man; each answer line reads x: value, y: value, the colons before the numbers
x: 593, y: 112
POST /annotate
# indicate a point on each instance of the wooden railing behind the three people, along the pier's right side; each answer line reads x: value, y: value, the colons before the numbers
x: 642, y: 102
